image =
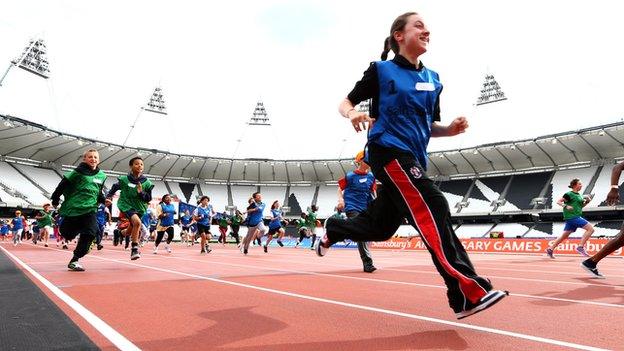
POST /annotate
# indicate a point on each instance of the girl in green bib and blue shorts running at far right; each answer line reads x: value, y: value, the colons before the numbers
x: 573, y: 203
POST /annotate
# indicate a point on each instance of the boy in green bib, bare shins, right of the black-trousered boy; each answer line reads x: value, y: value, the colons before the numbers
x: 135, y: 194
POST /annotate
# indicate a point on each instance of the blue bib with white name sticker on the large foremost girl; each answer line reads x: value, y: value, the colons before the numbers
x: 407, y: 101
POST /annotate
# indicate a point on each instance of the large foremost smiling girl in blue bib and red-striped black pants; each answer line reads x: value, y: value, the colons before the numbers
x: 406, y: 110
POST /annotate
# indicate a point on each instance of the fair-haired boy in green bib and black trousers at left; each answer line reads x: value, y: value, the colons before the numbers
x: 82, y: 190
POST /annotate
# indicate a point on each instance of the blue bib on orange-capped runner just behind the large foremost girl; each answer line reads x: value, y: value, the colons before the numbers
x: 357, y: 190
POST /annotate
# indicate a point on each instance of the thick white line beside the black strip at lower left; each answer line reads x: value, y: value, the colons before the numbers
x: 109, y: 333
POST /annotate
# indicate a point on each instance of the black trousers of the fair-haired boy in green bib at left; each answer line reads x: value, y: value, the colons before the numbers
x: 85, y: 225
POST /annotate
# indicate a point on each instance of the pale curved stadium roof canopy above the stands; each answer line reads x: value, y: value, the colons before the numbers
x: 25, y: 141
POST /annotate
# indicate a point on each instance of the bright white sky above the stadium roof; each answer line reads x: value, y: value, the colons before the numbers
x: 558, y: 62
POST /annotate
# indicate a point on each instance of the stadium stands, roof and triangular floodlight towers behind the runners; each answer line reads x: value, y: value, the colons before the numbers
x: 506, y: 187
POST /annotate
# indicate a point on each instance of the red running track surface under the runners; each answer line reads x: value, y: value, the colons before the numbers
x: 289, y: 299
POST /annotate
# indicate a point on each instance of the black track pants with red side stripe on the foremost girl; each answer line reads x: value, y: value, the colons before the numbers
x: 408, y: 193
